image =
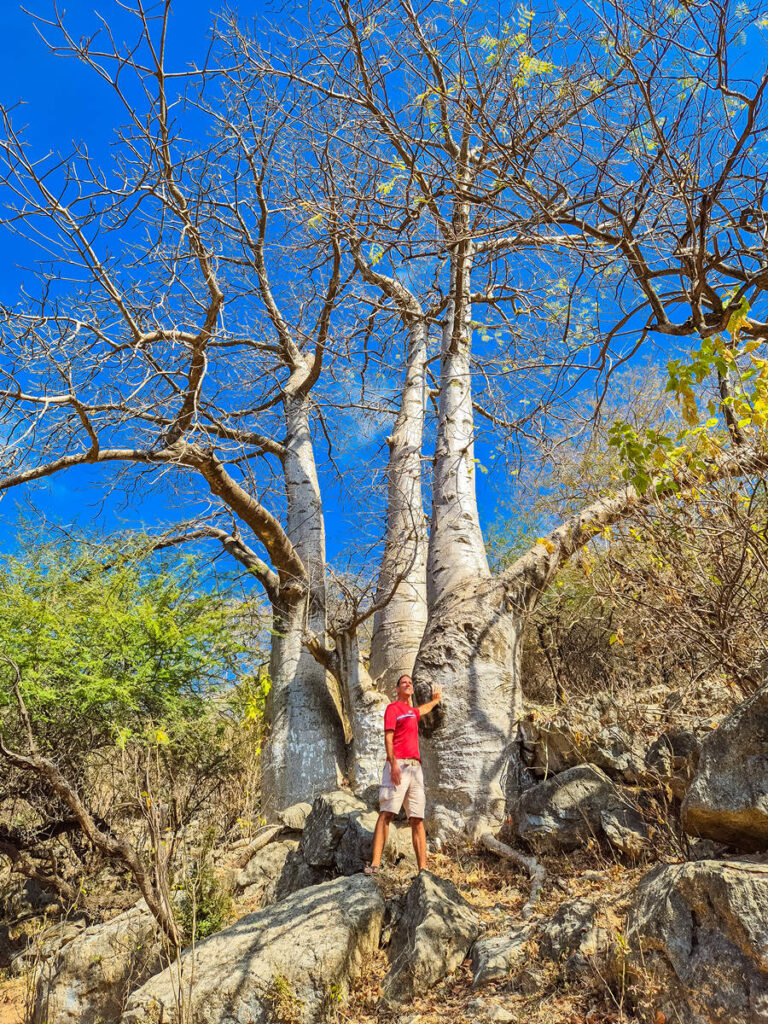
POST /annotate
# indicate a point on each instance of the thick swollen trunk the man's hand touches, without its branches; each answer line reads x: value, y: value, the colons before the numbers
x: 473, y: 646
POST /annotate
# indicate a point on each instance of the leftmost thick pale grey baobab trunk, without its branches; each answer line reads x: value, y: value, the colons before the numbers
x: 305, y: 752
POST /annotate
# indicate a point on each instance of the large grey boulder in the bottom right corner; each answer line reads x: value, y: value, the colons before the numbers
x: 698, y: 940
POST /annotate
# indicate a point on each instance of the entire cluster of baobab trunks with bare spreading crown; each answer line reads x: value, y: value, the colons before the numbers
x: 452, y: 164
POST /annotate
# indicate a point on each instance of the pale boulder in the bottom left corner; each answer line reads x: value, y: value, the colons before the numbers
x: 89, y: 982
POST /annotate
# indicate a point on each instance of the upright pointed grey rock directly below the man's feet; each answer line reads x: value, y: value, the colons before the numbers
x: 431, y: 940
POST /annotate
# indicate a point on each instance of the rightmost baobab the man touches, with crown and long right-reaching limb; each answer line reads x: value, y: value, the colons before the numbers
x: 481, y: 148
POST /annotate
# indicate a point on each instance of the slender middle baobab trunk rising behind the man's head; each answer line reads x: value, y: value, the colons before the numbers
x: 400, y: 625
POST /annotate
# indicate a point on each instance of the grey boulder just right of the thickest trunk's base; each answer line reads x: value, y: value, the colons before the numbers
x: 566, y: 810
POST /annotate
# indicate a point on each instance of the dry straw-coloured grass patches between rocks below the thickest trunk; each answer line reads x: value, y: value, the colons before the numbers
x: 498, y: 891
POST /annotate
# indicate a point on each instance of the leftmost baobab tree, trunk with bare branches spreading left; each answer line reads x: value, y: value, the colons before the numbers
x: 138, y: 368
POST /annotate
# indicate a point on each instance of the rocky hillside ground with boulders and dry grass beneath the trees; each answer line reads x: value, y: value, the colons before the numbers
x: 652, y: 825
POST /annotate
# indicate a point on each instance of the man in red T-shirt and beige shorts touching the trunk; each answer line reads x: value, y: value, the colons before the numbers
x: 403, y: 780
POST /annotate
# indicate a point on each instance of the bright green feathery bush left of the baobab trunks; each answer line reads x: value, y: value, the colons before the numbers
x: 114, y: 647
